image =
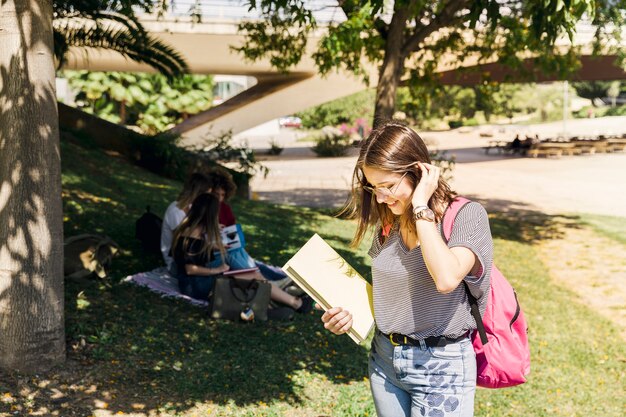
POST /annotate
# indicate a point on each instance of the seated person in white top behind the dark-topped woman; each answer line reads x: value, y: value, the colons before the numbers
x: 195, y: 185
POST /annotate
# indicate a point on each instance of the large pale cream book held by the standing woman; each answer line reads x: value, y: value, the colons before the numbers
x: 332, y: 282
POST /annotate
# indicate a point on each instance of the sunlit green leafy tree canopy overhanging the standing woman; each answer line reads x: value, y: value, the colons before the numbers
x: 410, y: 40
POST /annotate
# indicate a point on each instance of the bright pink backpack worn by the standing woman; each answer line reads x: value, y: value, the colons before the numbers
x: 501, y: 340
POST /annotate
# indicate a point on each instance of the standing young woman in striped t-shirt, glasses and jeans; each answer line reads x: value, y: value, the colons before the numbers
x: 422, y: 362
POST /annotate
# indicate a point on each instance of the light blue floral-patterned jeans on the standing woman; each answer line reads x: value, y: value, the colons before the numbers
x: 415, y: 381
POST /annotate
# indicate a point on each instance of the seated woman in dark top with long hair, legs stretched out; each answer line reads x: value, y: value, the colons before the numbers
x: 198, y: 255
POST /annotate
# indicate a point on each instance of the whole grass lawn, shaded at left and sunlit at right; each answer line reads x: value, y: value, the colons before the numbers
x: 131, y: 352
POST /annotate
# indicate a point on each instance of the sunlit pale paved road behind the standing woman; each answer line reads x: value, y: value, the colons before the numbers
x: 584, y: 184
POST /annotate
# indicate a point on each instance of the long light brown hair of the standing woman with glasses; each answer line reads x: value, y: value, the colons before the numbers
x: 391, y: 147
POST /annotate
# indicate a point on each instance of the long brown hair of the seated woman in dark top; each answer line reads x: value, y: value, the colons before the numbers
x: 202, y: 216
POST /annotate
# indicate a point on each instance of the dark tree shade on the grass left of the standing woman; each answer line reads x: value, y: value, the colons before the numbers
x: 134, y: 351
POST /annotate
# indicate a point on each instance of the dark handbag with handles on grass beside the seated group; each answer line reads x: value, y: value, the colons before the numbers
x: 234, y: 299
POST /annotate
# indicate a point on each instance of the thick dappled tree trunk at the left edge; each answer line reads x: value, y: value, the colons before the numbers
x: 32, y: 336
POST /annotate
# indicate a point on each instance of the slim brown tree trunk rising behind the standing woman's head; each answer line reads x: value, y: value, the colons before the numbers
x: 392, y: 69
